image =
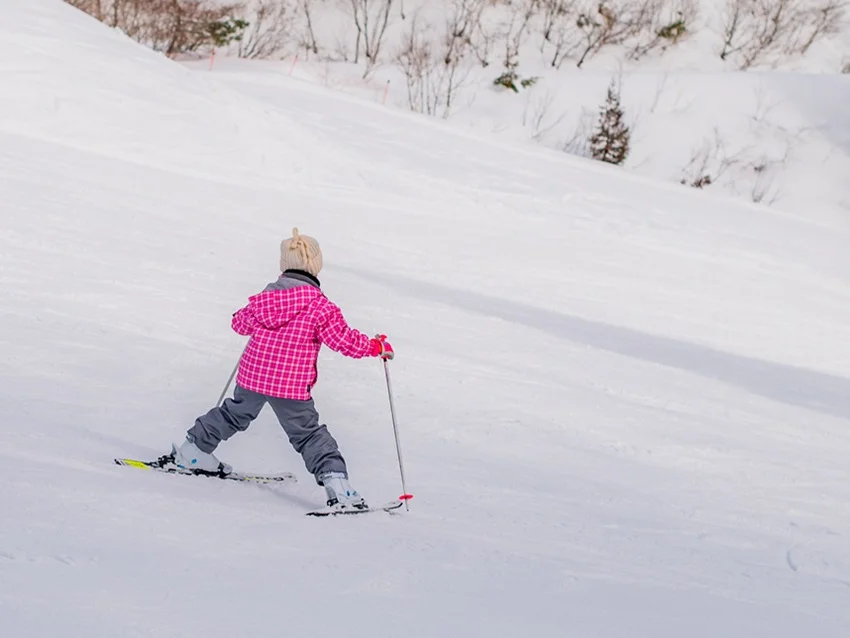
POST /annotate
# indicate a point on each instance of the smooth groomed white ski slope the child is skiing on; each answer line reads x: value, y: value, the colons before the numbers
x: 624, y: 405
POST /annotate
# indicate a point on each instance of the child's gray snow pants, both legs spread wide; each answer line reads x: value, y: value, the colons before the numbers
x: 299, y: 420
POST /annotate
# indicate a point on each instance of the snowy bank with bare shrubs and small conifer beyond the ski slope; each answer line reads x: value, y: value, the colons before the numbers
x: 776, y: 134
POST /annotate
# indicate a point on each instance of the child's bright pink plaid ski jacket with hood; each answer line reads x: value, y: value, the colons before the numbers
x: 288, y: 323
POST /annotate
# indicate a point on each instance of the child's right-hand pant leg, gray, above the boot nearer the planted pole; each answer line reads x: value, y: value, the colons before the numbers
x: 311, y: 440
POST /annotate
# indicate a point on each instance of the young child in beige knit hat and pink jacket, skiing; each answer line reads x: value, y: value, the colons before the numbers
x: 287, y: 323
